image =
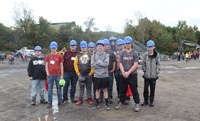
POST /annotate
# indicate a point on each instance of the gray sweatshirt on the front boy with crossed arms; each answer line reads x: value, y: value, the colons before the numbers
x: 100, y: 63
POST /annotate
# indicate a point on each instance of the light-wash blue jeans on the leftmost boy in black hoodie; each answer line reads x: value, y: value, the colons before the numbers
x: 37, y: 85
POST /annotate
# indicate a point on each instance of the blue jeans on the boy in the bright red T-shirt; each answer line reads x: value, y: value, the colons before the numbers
x: 51, y: 80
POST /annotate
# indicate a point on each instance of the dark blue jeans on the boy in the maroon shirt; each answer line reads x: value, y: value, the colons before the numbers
x: 71, y: 79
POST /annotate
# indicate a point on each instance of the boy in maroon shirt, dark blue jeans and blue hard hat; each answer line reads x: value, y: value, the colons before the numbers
x: 69, y: 72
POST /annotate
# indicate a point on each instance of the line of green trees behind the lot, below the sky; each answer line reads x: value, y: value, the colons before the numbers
x: 29, y: 33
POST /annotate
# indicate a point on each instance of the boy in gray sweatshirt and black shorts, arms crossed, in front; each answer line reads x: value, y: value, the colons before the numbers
x: 99, y: 62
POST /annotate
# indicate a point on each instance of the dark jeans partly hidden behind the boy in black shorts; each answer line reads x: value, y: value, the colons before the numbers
x: 110, y: 87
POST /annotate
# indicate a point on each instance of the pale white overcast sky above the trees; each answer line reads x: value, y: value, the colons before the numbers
x: 108, y: 14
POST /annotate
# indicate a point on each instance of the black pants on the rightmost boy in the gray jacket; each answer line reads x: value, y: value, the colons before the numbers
x: 152, y: 84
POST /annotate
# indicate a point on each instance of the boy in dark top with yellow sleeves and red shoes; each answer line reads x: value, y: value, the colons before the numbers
x: 82, y: 66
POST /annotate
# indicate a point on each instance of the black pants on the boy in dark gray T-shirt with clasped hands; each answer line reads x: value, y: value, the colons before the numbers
x: 132, y: 81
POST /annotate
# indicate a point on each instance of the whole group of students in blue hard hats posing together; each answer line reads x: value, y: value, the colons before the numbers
x: 95, y: 66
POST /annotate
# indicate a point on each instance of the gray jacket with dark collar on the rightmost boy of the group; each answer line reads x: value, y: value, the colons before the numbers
x: 151, y: 65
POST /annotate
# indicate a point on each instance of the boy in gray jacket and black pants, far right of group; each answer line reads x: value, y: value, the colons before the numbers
x: 151, y: 68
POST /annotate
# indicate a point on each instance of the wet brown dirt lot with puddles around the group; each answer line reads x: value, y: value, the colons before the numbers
x: 177, y: 98
